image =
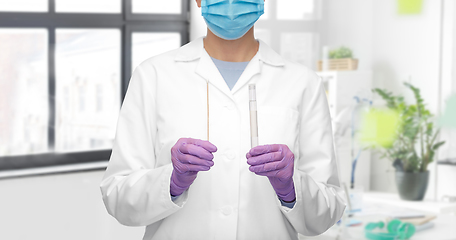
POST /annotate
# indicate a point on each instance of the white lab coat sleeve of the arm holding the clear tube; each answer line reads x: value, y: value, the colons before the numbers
x: 320, y: 201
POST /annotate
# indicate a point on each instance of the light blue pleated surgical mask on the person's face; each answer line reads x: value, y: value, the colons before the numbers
x: 231, y: 19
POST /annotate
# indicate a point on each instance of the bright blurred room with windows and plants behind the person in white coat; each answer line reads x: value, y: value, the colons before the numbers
x: 65, y: 67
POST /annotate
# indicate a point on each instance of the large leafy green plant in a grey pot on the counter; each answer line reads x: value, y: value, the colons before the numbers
x: 414, y: 146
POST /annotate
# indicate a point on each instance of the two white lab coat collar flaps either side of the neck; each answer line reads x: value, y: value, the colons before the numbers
x: 195, y: 49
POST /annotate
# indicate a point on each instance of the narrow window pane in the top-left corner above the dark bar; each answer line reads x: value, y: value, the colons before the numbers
x: 24, y: 5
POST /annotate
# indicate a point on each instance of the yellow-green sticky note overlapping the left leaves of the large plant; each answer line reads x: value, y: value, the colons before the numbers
x: 379, y: 127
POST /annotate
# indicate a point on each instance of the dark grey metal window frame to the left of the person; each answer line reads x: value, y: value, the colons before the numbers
x: 127, y: 23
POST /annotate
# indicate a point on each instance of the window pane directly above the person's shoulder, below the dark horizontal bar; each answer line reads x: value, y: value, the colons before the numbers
x: 146, y: 45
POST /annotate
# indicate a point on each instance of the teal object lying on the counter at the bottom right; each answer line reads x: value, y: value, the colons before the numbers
x: 397, y: 230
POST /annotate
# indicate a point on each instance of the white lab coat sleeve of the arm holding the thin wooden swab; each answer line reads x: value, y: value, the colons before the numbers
x: 134, y: 191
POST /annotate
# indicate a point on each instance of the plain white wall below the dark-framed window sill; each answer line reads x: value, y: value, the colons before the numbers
x: 56, y: 207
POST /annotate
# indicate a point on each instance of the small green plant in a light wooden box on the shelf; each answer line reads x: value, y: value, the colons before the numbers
x: 340, y: 59
